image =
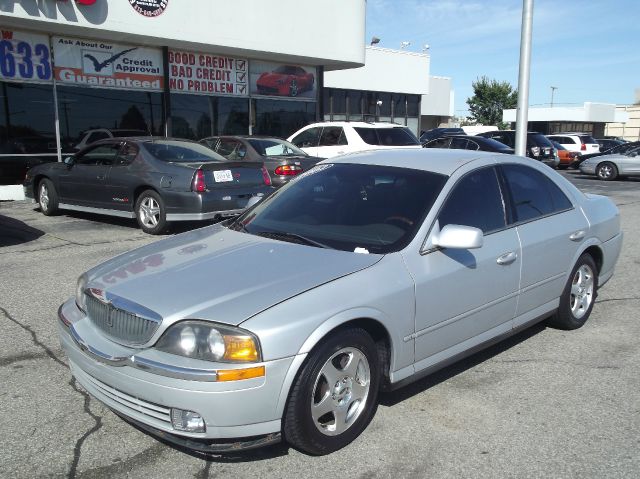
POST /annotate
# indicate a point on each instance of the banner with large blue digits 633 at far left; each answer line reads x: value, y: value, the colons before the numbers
x: 25, y: 57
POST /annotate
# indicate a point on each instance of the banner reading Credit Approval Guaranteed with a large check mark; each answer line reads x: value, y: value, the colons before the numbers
x: 107, y: 65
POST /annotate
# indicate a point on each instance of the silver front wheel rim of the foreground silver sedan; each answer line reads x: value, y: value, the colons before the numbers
x: 340, y: 391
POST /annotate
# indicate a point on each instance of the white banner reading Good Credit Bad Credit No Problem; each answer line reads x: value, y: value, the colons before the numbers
x: 207, y: 74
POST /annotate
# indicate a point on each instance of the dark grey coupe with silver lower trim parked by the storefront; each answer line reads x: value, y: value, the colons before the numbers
x: 155, y: 180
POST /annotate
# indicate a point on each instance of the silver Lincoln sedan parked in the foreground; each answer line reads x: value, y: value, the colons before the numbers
x: 365, y: 273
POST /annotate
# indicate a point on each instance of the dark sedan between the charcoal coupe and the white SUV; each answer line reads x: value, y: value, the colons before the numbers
x: 283, y: 160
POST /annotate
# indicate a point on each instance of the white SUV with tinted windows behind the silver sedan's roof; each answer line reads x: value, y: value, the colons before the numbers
x: 332, y: 138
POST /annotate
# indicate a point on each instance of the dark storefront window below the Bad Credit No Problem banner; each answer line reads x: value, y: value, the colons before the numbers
x: 197, y: 116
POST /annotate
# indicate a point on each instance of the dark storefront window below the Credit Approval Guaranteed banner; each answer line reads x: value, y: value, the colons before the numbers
x: 111, y: 112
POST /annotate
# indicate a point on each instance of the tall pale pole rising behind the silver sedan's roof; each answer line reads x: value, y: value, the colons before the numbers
x: 523, y: 77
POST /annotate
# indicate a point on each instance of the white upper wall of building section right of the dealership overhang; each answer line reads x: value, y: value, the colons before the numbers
x: 385, y: 70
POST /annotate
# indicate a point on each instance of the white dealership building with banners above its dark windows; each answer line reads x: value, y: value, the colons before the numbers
x: 73, y: 72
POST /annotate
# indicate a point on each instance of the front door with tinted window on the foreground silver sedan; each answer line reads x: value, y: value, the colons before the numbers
x: 465, y: 296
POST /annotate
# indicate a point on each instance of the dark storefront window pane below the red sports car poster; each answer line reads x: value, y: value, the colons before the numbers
x: 282, y: 118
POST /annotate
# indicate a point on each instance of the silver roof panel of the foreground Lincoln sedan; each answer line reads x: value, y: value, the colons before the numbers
x: 443, y: 161
